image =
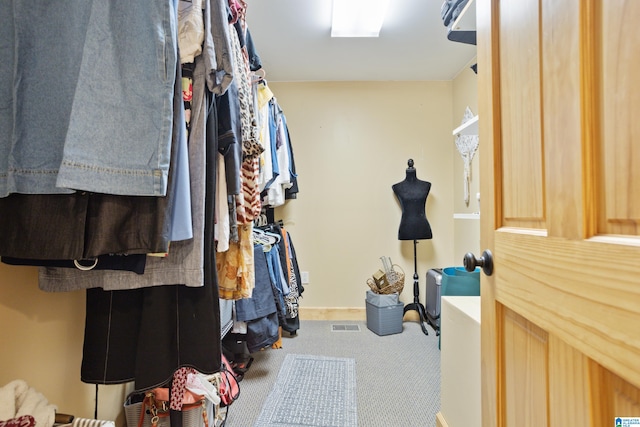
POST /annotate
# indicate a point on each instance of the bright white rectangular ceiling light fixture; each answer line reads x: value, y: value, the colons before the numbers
x: 358, y: 18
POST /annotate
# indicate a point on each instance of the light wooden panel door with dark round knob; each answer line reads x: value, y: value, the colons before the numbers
x: 559, y: 94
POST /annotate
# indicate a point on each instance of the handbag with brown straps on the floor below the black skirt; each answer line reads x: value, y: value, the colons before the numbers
x: 153, y: 410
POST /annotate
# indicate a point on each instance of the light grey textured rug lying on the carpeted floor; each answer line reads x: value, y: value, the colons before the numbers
x: 313, y: 391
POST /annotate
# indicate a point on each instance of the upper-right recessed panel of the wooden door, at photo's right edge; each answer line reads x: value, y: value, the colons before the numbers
x: 619, y: 145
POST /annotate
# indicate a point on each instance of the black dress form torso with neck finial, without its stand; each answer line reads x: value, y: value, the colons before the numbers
x: 412, y: 194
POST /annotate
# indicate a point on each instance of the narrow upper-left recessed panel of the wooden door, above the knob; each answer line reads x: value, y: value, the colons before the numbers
x: 520, y: 89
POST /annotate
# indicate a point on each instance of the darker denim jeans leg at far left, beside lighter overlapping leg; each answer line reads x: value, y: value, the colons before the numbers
x: 41, y: 49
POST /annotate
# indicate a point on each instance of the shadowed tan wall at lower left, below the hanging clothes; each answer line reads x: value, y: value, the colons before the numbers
x: 42, y: 336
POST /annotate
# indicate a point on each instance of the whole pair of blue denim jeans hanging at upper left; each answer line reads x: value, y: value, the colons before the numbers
x: 86, y: 96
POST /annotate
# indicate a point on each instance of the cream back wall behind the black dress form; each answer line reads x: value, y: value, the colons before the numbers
x: 351, y: 143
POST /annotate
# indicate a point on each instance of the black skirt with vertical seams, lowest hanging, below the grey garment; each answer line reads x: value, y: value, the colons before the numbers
x: 126, y: 340
